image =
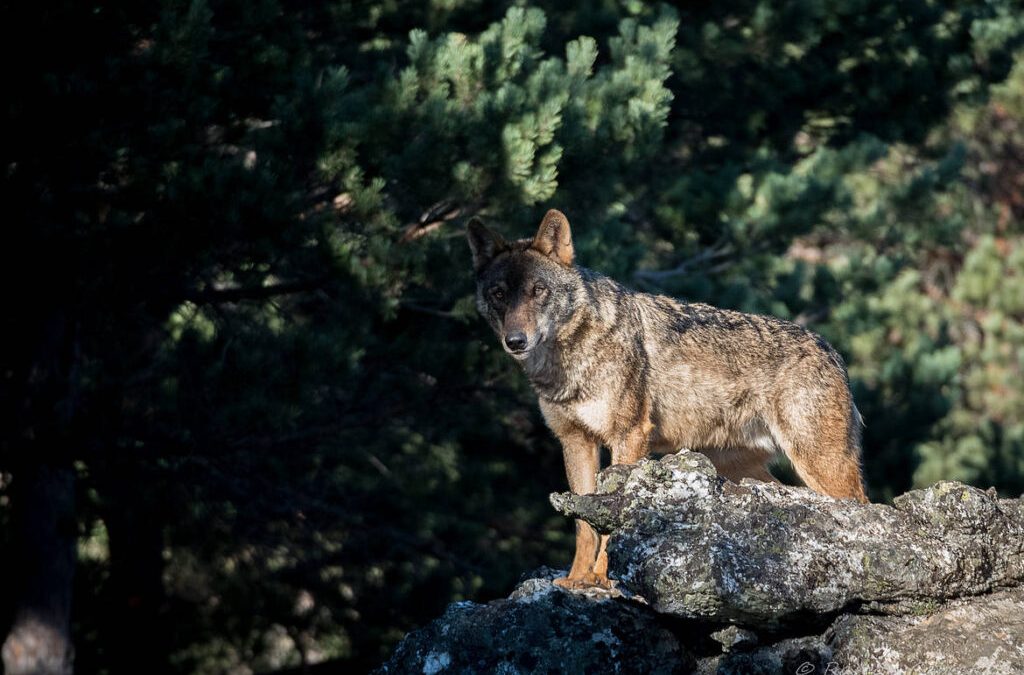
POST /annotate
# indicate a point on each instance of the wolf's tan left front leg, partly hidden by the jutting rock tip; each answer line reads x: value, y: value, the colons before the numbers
x: 582, y: 463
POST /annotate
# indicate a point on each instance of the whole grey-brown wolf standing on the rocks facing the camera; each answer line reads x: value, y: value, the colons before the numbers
x: 639, y: 373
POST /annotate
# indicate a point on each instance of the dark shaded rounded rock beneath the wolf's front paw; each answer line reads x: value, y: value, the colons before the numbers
x: 542, y: 628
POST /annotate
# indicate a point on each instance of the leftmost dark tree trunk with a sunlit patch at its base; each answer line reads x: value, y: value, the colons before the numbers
x: 42, y: 493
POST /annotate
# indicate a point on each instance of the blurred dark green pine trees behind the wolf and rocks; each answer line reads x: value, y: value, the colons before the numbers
x: 247, y: 388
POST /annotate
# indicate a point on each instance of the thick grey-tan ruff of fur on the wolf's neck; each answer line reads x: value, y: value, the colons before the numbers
x: 563, y: 368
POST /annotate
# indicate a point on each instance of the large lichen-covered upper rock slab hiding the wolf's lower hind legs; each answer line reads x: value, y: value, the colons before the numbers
x: 698, y: 546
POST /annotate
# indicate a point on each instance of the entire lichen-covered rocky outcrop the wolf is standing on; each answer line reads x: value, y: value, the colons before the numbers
x: 714, y: 577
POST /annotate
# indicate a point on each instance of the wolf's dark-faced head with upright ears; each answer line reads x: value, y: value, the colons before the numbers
x: 526, y: 289
